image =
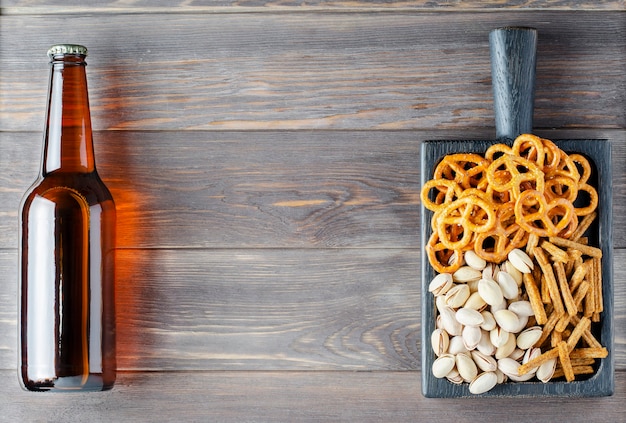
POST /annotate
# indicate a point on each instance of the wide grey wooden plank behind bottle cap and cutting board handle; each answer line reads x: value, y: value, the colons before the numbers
x: 314, y: 71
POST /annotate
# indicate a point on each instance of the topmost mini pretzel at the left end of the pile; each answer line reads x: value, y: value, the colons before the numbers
x: 467, y: 169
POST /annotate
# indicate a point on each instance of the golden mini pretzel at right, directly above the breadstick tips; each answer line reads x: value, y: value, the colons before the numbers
x: 536, y: 215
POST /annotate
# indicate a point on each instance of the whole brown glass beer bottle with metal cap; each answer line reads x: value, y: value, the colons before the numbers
x: 67, y: 241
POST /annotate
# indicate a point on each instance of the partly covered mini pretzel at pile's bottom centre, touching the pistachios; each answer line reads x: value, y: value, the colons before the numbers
x: 505, y: 236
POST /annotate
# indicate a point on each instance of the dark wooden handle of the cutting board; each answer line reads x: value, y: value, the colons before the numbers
x: 513, y: 57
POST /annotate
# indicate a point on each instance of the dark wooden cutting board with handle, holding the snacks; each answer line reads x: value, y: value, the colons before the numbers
x: 513, y: 52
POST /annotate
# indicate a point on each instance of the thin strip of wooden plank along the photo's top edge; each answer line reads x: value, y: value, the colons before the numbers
x: 214, y: 6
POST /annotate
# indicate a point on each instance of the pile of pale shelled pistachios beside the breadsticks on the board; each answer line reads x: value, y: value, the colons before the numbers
x: 485, y: 328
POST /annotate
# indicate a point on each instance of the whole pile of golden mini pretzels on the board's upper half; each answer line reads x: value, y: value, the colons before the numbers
x: 492, y: 204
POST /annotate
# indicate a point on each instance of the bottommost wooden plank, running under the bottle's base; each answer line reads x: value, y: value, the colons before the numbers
x: 292, y: 396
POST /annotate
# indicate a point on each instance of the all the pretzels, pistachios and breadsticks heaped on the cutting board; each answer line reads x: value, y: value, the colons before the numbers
x: 518, y: 287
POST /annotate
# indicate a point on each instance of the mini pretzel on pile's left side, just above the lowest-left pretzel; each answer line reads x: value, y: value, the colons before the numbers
x: 470, y: 212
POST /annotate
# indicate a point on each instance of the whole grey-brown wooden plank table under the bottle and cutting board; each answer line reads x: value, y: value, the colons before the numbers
x: 264, y: 157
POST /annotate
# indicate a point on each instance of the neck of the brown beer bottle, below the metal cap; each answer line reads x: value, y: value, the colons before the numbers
x: 68, y: 144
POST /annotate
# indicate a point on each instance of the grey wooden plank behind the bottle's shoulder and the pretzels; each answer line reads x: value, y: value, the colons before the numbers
x: 263, y: 189
